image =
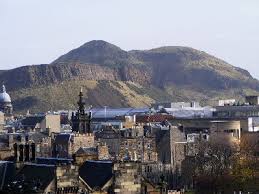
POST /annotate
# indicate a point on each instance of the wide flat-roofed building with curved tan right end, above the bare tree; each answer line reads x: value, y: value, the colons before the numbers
x: 227, y: 130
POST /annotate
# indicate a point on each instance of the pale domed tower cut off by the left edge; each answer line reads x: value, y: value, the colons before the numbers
x: 6, y: 103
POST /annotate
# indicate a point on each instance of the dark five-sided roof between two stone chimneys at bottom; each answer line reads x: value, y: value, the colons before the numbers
x: 96, y: 173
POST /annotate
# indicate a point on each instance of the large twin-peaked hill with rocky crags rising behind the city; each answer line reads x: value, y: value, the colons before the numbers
x: 114, y: 77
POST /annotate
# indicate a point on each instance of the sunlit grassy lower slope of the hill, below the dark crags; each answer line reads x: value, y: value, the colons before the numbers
x: 64, y: 96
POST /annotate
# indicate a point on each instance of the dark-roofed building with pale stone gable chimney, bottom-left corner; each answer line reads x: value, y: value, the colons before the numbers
x: 44, y: 178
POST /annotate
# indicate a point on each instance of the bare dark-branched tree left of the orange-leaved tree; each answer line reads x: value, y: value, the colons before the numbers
x: 209, y: 168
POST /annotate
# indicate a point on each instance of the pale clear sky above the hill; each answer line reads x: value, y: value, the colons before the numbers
x: 39, y: 31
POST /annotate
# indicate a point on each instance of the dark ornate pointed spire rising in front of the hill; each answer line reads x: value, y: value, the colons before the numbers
x: 80, y: 119
